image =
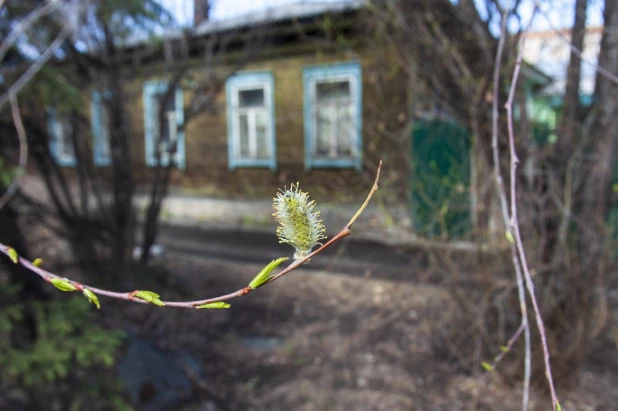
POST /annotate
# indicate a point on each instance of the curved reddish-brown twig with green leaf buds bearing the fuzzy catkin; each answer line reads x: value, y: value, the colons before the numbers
x: 130, y: 296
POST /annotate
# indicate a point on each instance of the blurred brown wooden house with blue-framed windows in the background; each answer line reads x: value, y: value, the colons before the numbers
x: 293, y: 93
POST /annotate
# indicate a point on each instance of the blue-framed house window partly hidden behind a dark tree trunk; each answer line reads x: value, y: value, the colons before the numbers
x: 172, y: 133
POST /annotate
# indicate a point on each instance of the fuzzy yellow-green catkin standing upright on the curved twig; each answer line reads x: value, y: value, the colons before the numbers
x: 300, y: 226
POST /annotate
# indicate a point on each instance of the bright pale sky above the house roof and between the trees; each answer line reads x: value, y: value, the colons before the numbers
x: 560, y: 13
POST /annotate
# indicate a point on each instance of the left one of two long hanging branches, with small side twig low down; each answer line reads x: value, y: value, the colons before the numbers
x: 505, y: 214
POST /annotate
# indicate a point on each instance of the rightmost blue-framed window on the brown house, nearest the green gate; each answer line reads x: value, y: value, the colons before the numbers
x: 333, y: 116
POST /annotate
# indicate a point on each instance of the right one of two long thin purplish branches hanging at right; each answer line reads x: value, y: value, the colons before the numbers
x: 514, y: 224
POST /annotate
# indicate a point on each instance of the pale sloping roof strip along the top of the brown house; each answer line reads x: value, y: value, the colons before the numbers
x: 300, y: 10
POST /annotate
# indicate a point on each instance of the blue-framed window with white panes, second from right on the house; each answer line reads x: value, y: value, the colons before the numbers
x: 251, y: 120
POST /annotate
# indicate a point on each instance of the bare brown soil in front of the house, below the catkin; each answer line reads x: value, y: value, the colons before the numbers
x: 340, y: 342
